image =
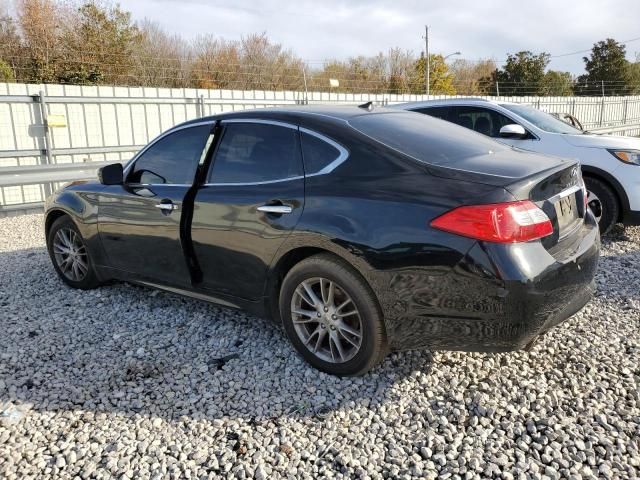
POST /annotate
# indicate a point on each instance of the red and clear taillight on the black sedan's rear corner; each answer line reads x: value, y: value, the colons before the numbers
x: 497, y: 222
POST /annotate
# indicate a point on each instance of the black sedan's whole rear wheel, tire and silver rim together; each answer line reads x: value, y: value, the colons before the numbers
x: 357, y: 354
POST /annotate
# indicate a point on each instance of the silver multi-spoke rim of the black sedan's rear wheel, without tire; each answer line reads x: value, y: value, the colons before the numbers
x: 327, y: 320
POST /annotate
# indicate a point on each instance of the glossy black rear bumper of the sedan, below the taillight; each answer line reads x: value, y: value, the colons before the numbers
x: 498, y: 298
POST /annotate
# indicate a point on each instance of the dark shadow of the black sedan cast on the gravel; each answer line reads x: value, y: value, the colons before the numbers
x: 134, y: 350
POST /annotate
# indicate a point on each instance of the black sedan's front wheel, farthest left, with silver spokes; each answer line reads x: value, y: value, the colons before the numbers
x: 70, y: 256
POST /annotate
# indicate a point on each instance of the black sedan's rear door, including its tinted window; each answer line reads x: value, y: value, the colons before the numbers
x: 251, y: 202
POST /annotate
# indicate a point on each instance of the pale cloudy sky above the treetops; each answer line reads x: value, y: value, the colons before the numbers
x: 329, y: 29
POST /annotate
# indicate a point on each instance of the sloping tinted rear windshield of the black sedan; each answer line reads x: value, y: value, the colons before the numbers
x: 424, y: 138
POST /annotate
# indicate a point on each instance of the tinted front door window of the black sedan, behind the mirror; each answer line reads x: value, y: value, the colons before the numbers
x: 172, y: 159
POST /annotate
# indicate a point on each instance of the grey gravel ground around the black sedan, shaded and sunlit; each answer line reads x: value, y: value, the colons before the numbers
x: 129, y: 382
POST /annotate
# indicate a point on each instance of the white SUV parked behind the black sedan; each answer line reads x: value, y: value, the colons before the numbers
x: 610, y: 164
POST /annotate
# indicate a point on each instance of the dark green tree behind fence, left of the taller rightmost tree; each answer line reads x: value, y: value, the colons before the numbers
x: 522, y: 74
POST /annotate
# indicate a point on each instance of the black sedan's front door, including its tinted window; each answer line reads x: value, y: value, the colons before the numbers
x: 139, y: 221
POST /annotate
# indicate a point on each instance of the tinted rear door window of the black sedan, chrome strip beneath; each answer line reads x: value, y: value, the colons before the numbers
x: 256, y: 152
